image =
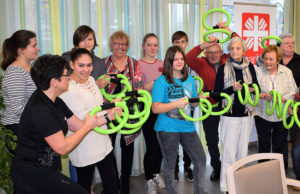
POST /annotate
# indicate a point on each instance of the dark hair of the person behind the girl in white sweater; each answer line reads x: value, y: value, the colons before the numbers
x: 81, y: 33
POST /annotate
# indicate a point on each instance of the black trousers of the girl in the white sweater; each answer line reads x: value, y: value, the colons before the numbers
x: 107, y: 170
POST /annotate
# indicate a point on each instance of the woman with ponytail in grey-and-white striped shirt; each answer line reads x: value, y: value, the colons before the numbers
x: 17, y: 86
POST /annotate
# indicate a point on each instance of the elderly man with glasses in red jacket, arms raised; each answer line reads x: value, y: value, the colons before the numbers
x: 206, y: 67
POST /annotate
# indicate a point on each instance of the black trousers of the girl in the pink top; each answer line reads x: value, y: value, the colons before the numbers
x: 153, y: 156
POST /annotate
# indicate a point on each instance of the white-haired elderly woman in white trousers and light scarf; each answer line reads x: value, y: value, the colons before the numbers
x: 236, y: 124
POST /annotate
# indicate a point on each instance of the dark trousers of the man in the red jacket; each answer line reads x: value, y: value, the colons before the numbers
x: 211, y: 129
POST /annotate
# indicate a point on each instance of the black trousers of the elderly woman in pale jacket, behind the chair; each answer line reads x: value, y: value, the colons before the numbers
x: 270, y: 133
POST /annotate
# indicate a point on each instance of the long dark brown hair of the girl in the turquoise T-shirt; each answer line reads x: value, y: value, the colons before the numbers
x: 168, y: 64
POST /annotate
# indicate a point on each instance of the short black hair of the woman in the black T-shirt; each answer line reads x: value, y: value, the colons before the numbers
x: 45, y: 68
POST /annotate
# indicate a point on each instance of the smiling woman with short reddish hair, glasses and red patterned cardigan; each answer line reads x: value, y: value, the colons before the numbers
x: 120, y: 63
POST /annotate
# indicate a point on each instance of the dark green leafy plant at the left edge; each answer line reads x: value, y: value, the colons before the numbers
x: 7, y: 142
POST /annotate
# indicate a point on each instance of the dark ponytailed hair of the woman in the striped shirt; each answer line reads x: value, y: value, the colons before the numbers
x: 19, y: 39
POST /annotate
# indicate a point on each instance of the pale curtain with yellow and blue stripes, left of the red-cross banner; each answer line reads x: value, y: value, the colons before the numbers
x: 55, y: 21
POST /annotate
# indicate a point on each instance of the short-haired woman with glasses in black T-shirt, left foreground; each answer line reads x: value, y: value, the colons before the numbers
x: 43, y: 126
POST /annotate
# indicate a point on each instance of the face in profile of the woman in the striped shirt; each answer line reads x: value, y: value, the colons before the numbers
x: 31, y: 52
